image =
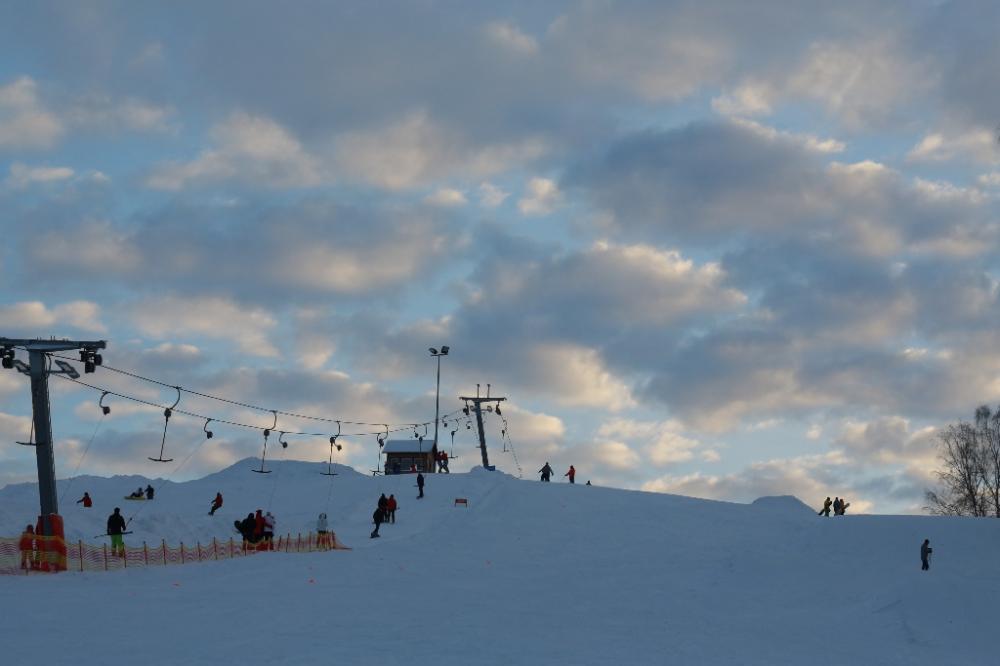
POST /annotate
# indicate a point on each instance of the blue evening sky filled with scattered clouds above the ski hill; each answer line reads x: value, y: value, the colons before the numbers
x: 720, y: 249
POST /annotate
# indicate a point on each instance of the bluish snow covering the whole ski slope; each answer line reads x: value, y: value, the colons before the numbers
x: 529, y: 573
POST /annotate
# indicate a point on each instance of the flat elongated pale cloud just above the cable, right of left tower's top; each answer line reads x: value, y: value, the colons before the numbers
x: 212, y: 317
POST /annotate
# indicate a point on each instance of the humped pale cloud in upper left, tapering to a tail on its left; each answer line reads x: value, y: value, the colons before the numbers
x: 246, y: 148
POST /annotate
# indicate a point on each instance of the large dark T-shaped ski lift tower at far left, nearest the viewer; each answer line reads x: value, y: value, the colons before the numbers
x: 38, y: 368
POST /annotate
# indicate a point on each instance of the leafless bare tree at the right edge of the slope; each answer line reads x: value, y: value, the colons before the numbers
x: 970, y: 478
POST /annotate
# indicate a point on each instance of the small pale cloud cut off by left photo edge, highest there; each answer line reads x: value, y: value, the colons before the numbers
x: 24, y: 120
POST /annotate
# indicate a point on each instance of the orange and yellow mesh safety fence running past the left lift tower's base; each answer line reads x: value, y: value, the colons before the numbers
x: 90, y: 557
